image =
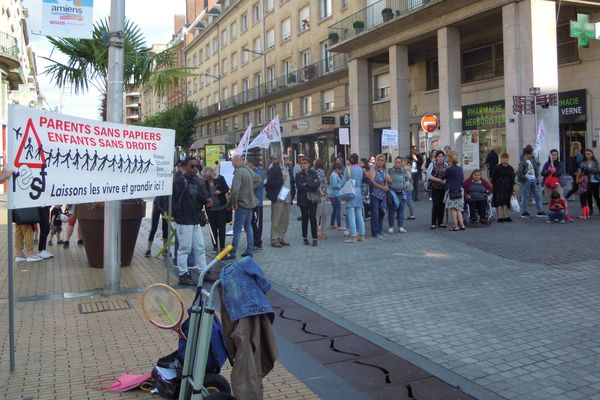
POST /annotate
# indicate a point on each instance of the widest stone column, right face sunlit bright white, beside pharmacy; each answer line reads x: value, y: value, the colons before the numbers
x: 530, y: 60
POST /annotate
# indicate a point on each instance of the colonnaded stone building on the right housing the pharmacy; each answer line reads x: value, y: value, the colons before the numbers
x: 464, y: 60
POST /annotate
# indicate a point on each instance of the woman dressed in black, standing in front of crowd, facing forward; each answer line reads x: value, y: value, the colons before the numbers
x: 307, y: 185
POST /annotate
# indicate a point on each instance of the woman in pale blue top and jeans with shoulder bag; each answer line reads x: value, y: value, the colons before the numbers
x: 354, y: 204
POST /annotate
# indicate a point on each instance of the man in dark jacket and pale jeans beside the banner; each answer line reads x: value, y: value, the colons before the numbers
x: 189, y: 197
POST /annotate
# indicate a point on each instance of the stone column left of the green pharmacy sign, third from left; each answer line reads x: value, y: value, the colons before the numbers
x: 450, y: 87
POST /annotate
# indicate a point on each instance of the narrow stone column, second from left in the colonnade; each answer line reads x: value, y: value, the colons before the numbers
x: 399, y: 96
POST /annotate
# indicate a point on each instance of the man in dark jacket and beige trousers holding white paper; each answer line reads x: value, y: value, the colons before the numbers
x: 281, y: 201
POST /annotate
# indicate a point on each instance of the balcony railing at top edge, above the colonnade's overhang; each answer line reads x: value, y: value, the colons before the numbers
x: 373, y: 16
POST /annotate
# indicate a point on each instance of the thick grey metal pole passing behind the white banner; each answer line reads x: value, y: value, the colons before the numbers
x: 112, y: 209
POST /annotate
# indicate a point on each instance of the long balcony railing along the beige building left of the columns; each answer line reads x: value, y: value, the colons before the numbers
x: 307, y: 73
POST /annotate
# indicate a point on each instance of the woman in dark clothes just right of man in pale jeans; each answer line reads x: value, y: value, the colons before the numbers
x: 217, y: 213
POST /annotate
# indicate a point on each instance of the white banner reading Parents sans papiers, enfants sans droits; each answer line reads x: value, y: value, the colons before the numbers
x: 60, y: 159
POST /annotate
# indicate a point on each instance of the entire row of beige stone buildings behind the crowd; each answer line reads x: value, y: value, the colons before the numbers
x: 322, y: 65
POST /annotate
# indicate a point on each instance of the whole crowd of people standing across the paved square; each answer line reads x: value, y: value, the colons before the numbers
x: 359, y: 190
